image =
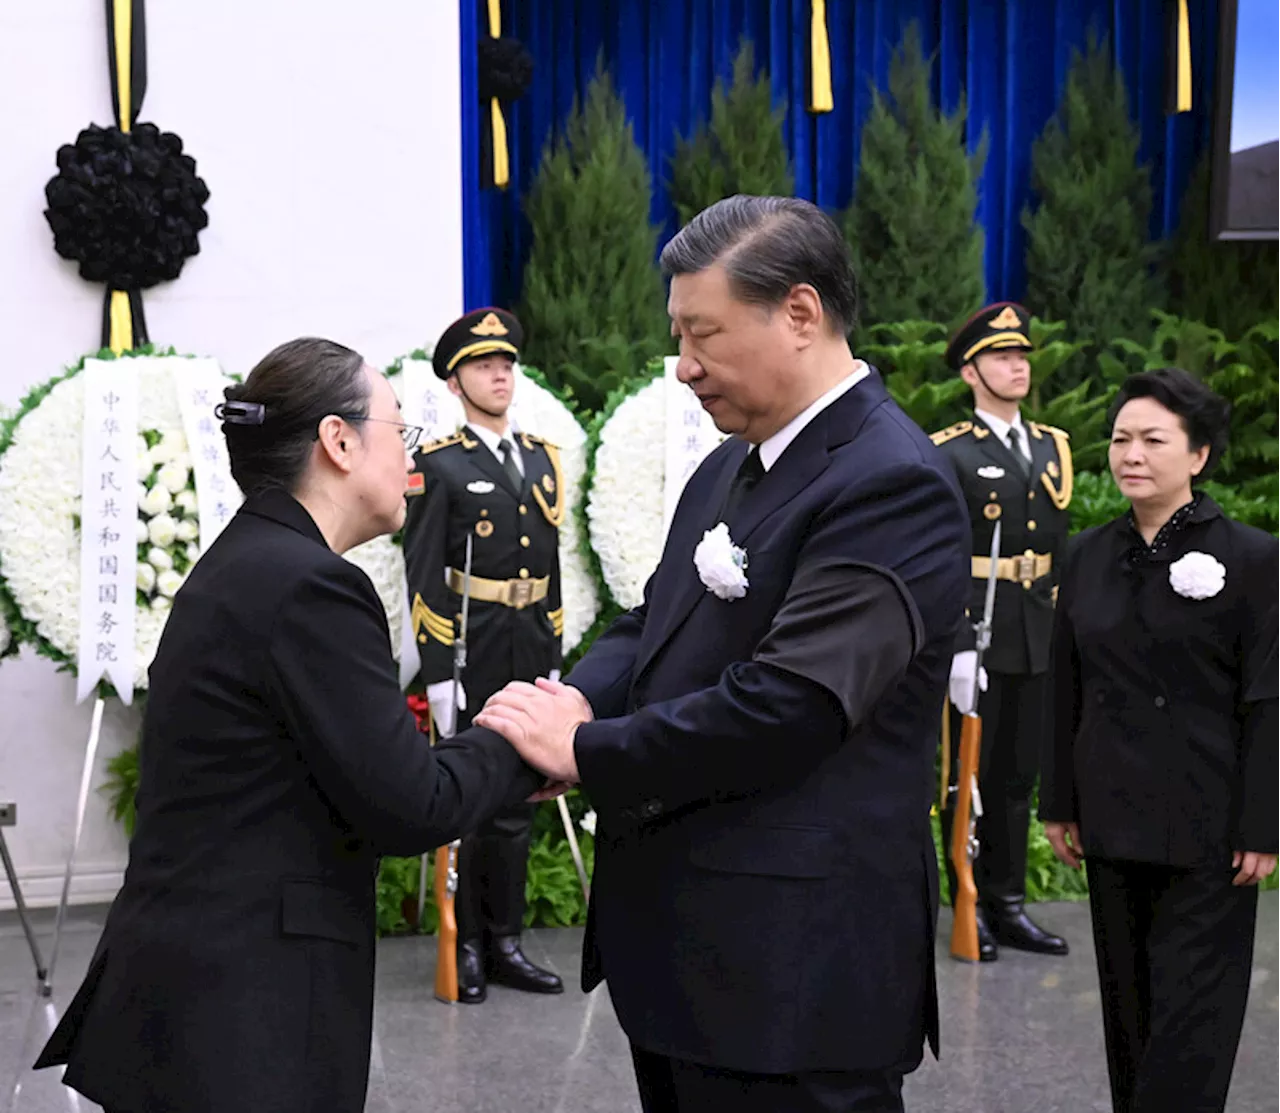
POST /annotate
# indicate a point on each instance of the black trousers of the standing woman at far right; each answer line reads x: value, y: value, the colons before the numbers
x: 1176, y: 952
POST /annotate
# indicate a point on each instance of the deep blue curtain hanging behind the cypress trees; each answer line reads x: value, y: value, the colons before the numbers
x: 1009, y: 57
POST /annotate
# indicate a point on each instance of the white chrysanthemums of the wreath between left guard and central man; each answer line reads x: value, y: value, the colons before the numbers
x: 625, y: 509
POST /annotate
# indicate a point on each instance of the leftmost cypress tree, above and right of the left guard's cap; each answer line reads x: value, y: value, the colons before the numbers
x: 593, y: 303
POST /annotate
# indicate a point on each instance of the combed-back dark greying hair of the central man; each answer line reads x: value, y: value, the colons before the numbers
x: 767, y: 246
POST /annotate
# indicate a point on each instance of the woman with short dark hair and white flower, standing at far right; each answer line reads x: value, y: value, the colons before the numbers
x: 1165, y: 753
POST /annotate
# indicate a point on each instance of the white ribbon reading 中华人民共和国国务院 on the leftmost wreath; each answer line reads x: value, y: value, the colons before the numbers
x: 109, y: 515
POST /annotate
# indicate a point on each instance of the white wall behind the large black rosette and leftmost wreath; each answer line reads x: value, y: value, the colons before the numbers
x: 328, y: 135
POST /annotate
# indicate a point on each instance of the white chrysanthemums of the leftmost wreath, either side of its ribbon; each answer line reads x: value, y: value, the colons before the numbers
x: 40, y: 493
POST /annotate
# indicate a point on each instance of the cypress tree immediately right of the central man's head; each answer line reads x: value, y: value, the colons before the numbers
x: 912, y: 231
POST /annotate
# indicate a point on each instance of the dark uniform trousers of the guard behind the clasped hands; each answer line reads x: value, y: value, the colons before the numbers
x: 493, y: 860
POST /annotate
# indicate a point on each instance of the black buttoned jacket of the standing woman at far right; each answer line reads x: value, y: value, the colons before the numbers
x: 1167, y: 713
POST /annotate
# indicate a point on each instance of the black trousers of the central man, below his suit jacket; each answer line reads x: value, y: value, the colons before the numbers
x: 679, y: 1087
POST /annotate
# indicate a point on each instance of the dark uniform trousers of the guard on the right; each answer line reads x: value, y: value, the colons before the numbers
x: 1014, y: 714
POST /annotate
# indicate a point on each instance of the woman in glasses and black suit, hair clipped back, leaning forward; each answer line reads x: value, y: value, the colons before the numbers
x: 280, y: 761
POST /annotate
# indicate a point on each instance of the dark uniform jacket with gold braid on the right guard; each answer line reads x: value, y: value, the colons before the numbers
x: 1035, y: 519
